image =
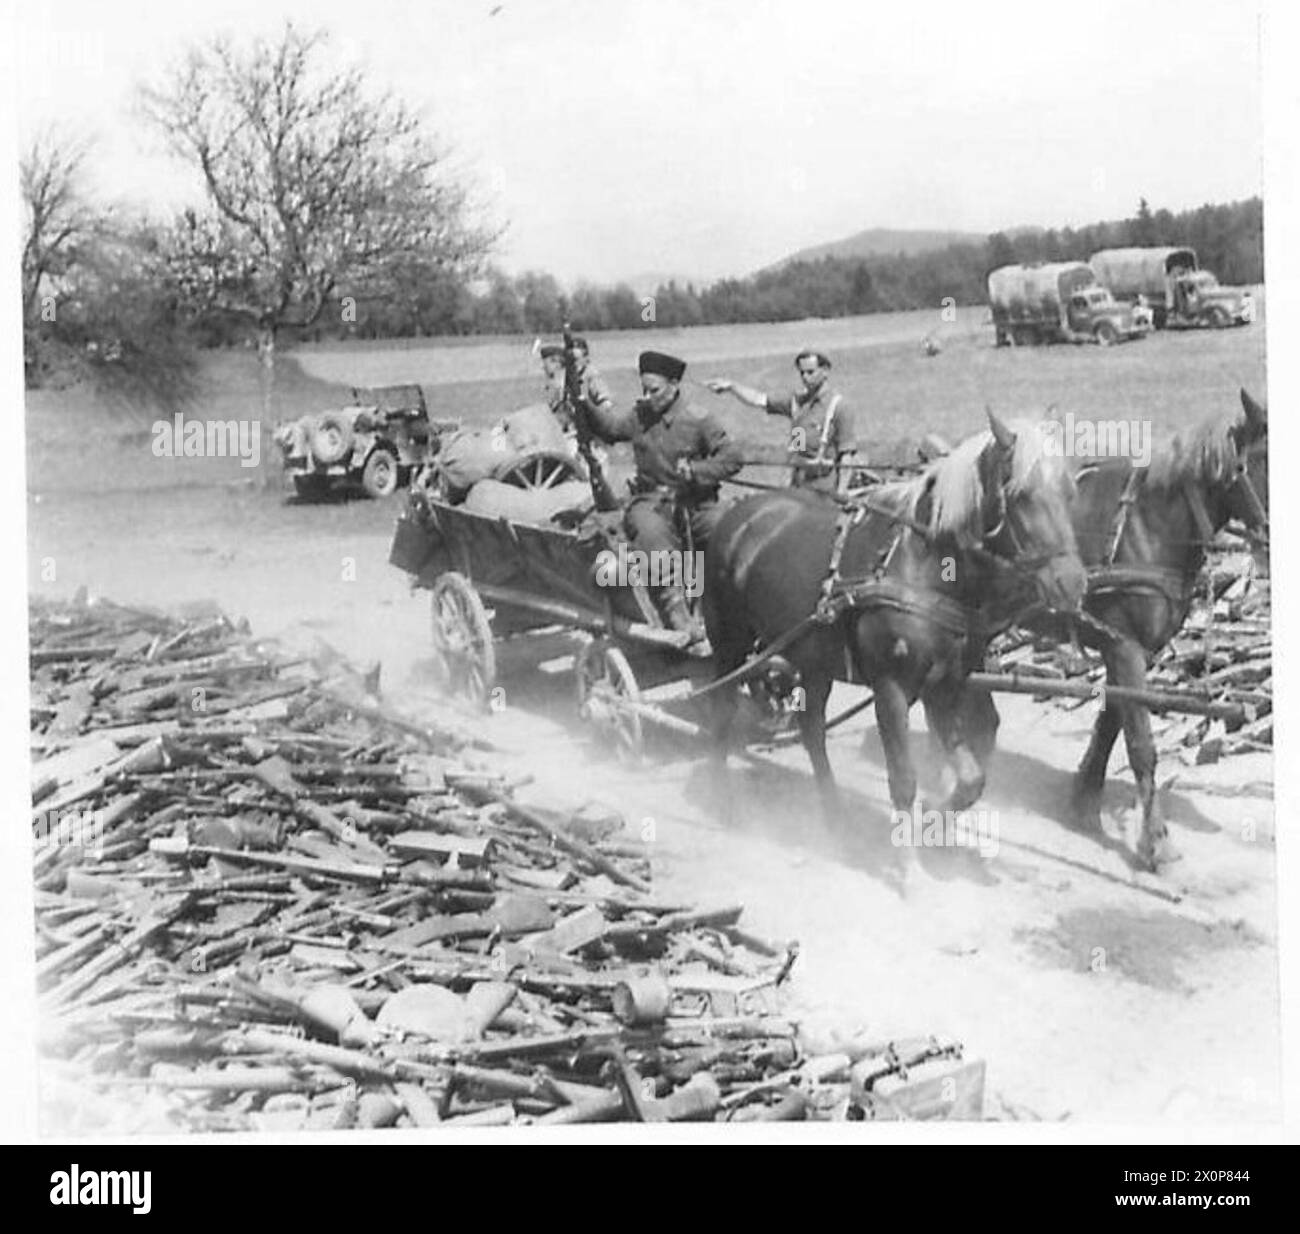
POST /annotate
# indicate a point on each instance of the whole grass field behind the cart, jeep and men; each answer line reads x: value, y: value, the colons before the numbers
x: 1175, y: 380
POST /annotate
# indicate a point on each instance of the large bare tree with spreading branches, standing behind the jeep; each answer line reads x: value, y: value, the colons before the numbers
x: 317, y: 189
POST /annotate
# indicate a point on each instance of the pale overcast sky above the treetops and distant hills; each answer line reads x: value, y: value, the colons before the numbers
x: 710, y: 138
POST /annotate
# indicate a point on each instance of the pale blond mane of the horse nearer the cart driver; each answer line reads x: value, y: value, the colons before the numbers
x: 955, y: 484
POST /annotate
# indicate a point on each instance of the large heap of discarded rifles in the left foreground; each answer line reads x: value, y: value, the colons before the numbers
x: 266, y: 902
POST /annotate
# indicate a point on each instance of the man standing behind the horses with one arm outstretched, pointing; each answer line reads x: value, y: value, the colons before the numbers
x: 824, y: 435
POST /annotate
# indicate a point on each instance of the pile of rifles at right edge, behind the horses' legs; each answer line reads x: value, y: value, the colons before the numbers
x: 1224, y: 653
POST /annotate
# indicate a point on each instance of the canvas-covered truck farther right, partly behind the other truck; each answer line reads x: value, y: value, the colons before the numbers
x: 1180, y: 293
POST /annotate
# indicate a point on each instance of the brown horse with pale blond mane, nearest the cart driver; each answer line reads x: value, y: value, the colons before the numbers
x: 908, y: 595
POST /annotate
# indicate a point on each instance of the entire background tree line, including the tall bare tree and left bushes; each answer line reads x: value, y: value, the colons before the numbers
x: 328, y: 213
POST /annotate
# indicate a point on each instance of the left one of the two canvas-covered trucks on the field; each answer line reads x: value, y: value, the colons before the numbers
x: 1059, y: 302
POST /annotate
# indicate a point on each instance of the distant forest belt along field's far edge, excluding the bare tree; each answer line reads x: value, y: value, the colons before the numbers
x: 1229, y: 240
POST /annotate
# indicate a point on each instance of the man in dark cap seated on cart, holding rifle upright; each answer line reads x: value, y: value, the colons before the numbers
x: 682, y: 456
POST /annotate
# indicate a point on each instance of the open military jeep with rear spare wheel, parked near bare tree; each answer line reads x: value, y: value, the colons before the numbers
x: 378, y: 441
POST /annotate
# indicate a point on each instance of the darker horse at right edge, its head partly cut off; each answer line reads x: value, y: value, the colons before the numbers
x: 1143, y: 535
